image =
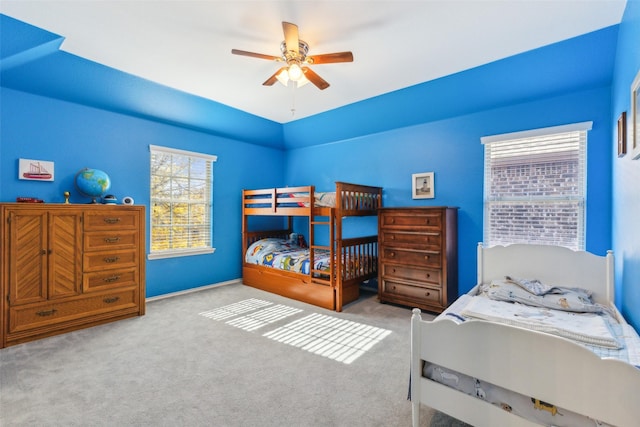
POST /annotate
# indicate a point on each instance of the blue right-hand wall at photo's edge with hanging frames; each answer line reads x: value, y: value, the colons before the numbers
x: 626, y: 172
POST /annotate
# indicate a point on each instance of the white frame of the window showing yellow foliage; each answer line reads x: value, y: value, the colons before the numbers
x: 171, y: 253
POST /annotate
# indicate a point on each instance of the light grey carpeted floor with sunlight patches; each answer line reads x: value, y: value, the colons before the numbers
x: 182, y: 364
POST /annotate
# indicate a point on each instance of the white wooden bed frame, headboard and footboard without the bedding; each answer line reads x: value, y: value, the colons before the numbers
x: 550, y: 368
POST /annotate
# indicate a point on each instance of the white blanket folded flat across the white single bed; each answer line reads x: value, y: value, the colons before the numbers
x: 586, y: 328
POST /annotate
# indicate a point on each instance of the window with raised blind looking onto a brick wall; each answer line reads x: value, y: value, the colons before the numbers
x: 535, y: 187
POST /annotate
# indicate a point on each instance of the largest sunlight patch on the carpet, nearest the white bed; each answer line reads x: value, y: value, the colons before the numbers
x: 327, y: 336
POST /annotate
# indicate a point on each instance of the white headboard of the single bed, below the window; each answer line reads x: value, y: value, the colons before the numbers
x: 553, y: 265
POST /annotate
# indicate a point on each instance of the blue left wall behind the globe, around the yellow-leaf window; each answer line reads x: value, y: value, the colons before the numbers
x: 74, y: 136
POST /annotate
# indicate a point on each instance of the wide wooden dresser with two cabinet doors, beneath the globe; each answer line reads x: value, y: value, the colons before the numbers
x: 66, y: 267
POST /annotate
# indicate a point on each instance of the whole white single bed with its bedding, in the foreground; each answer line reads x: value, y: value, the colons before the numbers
x: 490, y: 370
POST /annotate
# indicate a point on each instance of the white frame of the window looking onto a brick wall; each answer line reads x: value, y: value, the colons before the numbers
x: 579, y: 199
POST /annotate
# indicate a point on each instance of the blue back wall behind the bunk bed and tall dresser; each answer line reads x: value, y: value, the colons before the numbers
x: 451, y: 149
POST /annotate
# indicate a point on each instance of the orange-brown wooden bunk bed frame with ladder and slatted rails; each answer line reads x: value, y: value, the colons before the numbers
x: 341, y: 285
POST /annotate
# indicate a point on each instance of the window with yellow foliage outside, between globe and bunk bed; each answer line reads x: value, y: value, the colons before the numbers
x: 181, y: 202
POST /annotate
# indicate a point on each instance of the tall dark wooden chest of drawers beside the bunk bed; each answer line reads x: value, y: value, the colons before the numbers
x: 418, y: 257
